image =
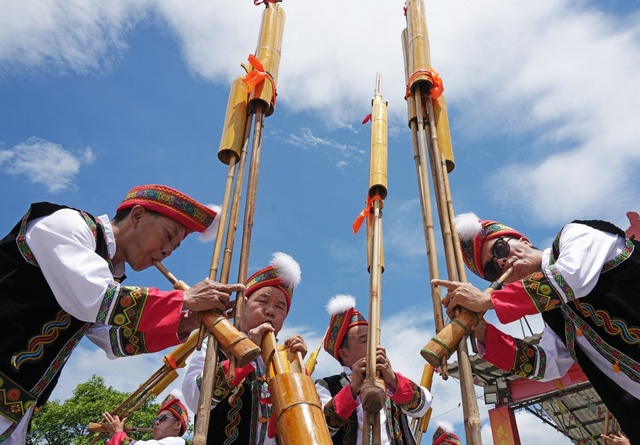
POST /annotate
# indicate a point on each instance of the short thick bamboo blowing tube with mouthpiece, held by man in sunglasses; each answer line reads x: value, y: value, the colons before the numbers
x: 445, y: 342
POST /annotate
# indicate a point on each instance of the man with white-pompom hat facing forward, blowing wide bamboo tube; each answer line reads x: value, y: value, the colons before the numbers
x: 241, y: 410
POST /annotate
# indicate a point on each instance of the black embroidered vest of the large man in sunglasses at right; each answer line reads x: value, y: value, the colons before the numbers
x: 612, y: 310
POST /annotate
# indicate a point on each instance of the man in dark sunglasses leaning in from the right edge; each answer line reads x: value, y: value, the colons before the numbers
x: 587, y: 287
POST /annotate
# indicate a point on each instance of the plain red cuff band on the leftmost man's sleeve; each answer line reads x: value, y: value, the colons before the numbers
x: 162, y: 311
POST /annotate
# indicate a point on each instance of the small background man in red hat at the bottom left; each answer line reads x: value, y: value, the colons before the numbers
x: 168, y: 426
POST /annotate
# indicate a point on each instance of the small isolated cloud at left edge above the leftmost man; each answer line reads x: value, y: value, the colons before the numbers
x: 44, y: 162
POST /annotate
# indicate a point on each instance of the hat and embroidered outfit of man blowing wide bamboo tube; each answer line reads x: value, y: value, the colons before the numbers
x: 241, y: 410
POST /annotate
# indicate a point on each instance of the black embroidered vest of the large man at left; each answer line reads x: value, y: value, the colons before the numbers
x: 37, y: 334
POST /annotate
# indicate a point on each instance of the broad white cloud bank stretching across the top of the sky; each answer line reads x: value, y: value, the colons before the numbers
x: 562, y: 74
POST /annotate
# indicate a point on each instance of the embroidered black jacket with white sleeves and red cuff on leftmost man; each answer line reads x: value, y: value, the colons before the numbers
x: 39, y: 334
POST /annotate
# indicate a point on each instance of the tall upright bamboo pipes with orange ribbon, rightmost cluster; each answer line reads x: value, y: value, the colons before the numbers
x: 430, y: 130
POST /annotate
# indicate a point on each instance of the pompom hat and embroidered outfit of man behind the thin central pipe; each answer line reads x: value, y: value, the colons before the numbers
x: 345, y: 414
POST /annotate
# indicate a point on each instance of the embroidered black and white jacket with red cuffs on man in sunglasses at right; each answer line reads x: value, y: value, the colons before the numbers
x: 592, y: 312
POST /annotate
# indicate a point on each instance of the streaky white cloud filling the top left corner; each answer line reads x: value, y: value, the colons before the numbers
x: 65, y: 36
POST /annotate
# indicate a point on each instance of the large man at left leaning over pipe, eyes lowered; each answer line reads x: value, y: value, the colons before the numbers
x: 60, y: 274
